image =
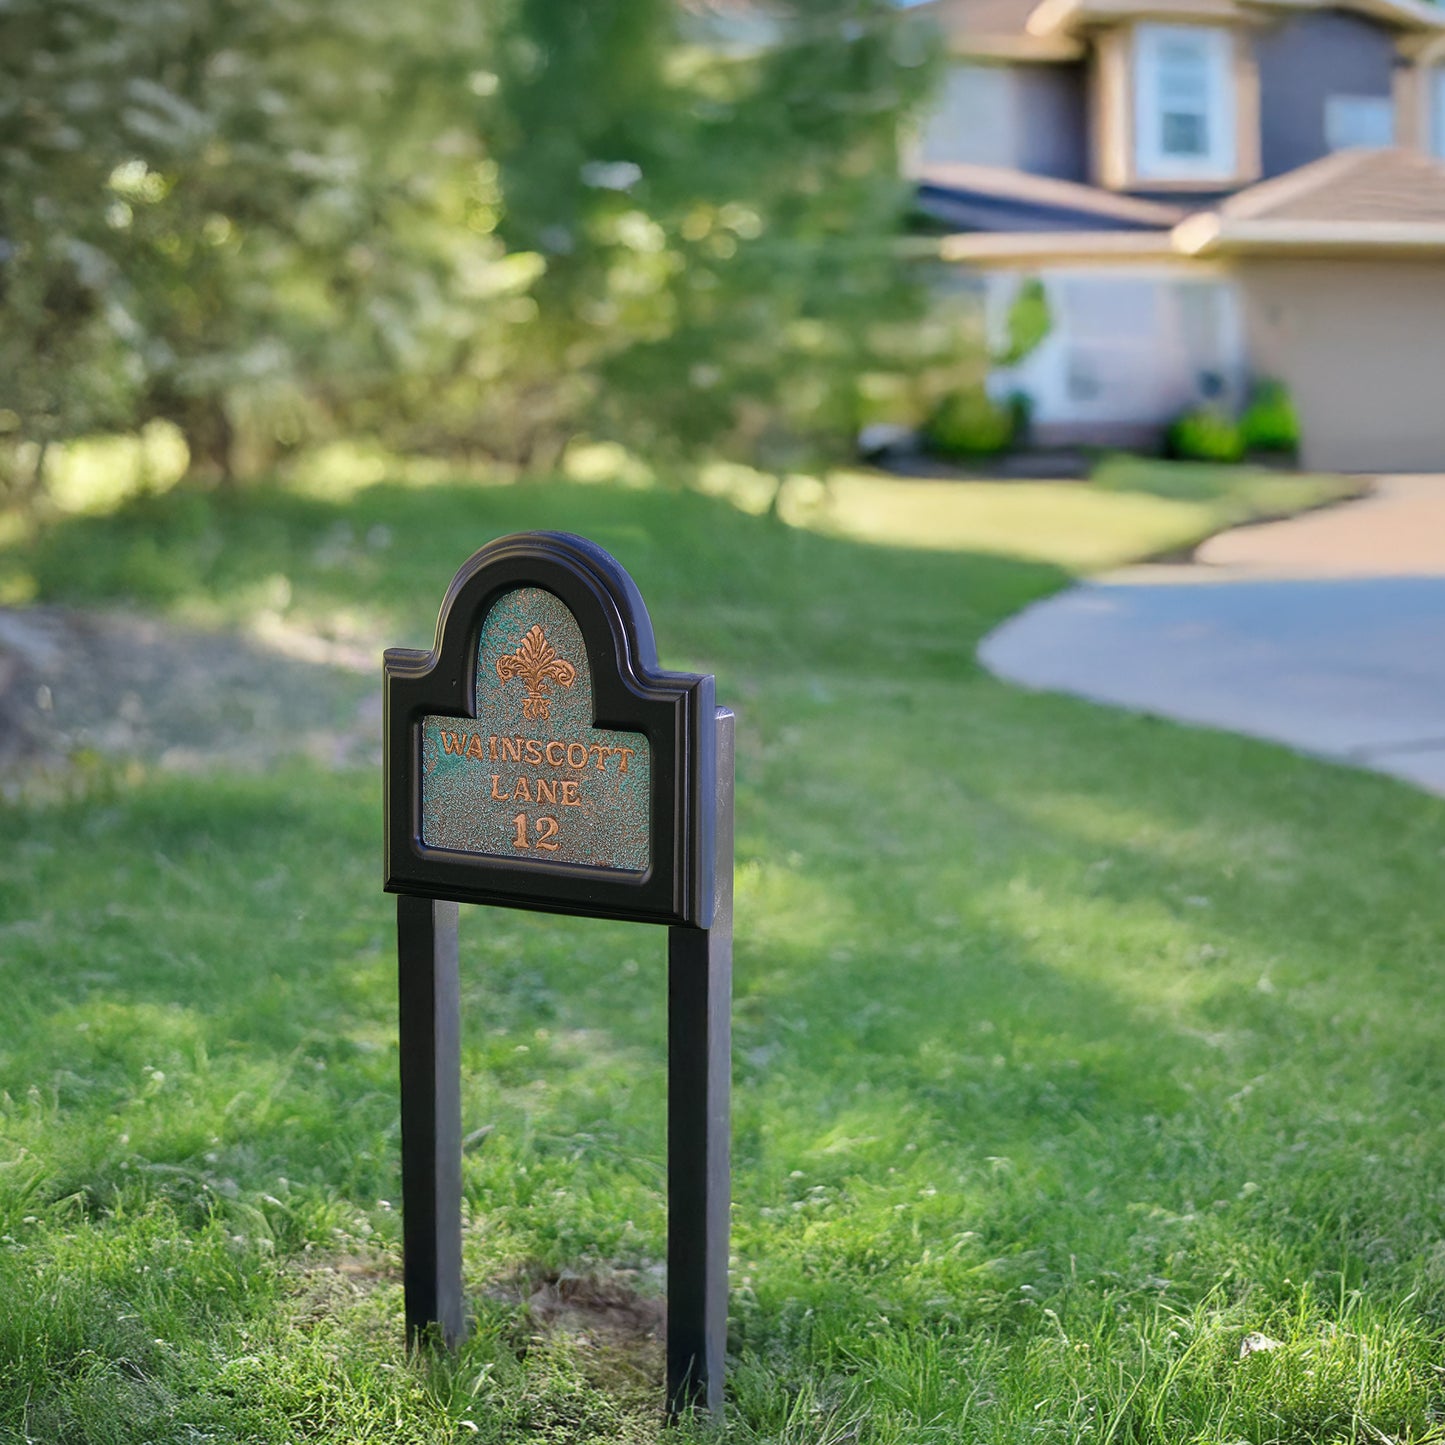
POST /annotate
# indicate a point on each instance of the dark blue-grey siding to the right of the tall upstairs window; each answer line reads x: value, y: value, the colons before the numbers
x: 1303, y: 63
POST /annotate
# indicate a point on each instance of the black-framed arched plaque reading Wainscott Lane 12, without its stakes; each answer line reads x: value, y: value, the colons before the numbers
x: 538, y: 756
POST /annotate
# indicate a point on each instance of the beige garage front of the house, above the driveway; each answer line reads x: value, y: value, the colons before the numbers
x: 1362, y: 348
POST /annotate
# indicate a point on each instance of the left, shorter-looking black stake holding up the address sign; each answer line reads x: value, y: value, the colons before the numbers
x: 431, y: 1119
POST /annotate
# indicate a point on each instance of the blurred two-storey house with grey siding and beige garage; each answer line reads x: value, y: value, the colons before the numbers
x: 1209, y: 190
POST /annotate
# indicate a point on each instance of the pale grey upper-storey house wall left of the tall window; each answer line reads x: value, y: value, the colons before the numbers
x: 1027, y: 118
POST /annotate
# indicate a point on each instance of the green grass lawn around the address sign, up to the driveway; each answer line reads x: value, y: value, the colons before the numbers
x: 1071, y: 1048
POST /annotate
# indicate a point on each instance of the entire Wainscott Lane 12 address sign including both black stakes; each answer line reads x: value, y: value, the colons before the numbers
x: 538, y: 758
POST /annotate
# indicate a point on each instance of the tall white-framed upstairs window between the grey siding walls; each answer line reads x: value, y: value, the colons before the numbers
x: 1184, y: 103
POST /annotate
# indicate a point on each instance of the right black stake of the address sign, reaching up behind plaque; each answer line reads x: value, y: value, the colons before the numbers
x: 700, y: 998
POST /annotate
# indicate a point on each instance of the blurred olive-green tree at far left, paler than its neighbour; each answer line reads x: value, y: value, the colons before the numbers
x: 225, y: 215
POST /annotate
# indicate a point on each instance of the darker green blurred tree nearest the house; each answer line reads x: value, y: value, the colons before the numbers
x: 716, y: 228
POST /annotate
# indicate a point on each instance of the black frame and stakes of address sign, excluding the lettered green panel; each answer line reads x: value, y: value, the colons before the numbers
x: 687, y: 887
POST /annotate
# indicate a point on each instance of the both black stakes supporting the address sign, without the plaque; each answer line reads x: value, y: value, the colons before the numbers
x: 700, y: 993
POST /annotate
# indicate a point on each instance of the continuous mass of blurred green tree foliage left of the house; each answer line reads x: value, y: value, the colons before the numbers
x: 463, y: 229
